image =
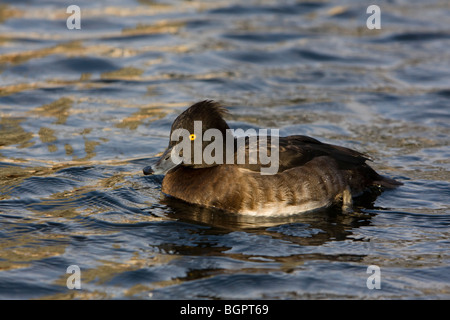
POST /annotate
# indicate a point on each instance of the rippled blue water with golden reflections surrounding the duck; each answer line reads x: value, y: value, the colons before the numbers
x: 83, y: 111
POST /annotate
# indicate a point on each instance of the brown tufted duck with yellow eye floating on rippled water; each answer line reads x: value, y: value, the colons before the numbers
x: 309, y: 175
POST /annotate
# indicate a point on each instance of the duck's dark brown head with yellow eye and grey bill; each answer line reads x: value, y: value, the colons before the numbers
x: 189, y: 131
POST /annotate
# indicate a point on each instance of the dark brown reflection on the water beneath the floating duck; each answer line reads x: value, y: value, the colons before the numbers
x: 319, y: 227
